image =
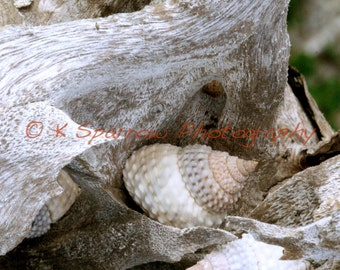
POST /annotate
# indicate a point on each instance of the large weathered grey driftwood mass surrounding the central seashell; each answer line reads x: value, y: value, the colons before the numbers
x: 173, y: 66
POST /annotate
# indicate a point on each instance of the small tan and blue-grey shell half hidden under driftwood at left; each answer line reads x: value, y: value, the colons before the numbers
x: 56, y: 207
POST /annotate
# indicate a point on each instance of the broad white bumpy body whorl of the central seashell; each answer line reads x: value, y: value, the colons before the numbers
x: 162, y: 187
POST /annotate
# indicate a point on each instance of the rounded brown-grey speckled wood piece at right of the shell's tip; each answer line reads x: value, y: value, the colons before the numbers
x: 306, y: 197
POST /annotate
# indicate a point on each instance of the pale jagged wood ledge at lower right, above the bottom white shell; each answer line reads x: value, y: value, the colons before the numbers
x: 317, y: 241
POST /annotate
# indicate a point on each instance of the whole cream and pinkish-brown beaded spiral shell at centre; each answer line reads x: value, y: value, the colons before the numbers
x: 185, y: 187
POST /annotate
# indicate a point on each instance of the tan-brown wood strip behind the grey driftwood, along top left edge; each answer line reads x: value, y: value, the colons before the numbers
x: 43, y: 12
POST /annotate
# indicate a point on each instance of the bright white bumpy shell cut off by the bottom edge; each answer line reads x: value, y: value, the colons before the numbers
x: 247, y: 253
